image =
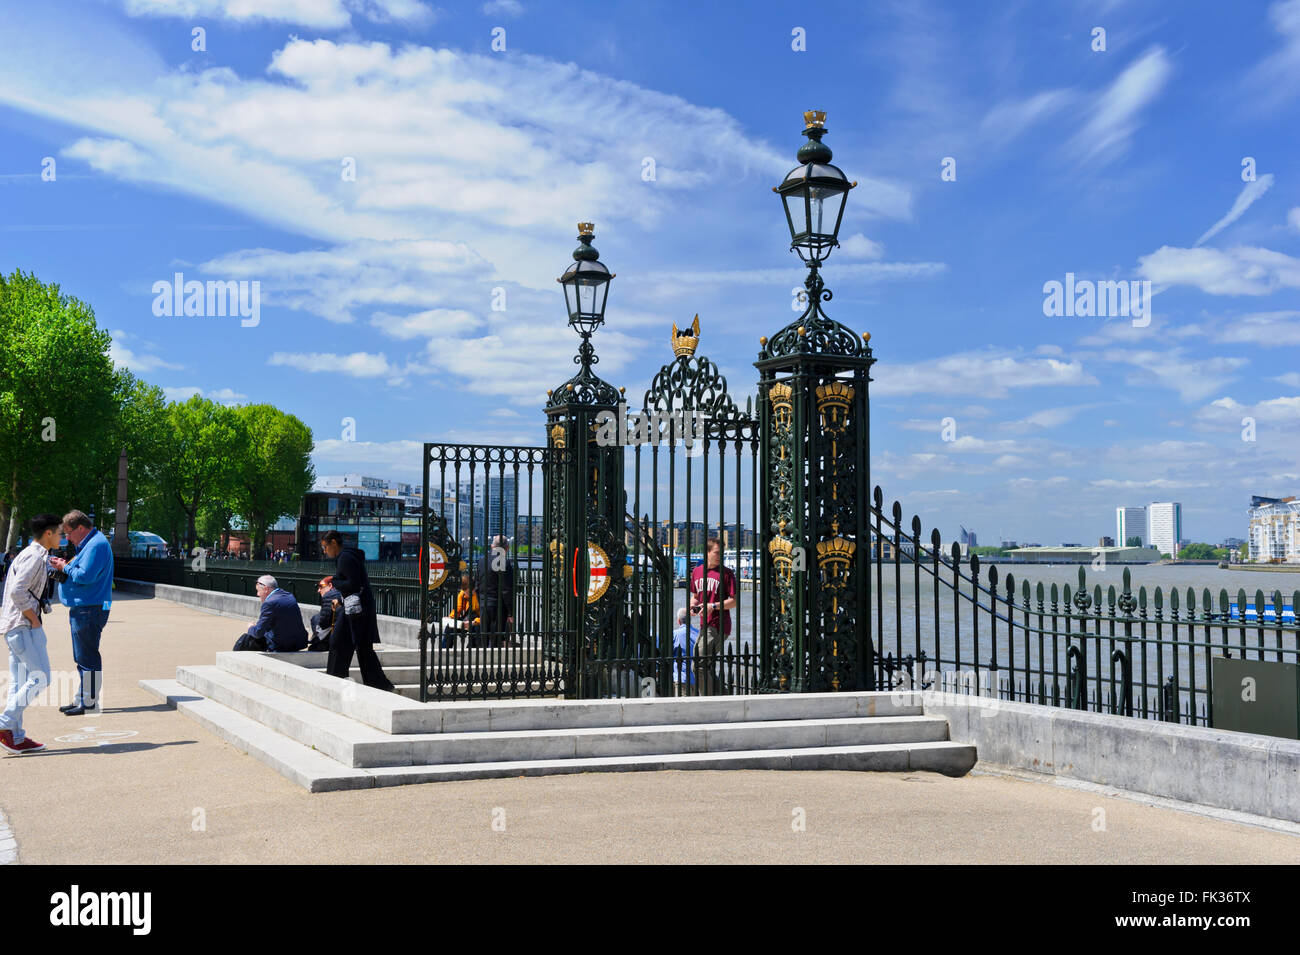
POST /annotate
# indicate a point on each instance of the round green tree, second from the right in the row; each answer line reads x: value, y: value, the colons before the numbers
x: 202, y: 452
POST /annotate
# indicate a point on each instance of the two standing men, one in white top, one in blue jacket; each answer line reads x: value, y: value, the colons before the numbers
x: 33, y: 580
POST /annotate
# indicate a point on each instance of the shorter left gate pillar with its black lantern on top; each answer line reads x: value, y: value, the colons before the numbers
x: 586, y: 498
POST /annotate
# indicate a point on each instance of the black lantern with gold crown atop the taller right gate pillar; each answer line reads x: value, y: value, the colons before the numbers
x: 814, y: 194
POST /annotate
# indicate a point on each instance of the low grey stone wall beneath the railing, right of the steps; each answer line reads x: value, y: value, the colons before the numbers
x: 1208, y: 767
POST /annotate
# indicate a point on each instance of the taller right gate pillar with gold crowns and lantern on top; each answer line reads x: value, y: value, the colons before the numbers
x: 814, y: 419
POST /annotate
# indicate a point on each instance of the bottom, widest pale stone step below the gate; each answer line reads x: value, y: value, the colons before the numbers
x: 319, y: 774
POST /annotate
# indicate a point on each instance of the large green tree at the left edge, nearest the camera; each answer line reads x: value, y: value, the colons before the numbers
x: 59, y: 400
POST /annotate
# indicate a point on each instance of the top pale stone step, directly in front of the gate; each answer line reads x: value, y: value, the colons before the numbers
x: 393, y: 713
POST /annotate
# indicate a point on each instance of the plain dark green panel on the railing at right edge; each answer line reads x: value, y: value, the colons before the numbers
x: 1256, y: 697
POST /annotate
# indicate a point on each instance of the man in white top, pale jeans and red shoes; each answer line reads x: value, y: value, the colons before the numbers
x: 20, y: 623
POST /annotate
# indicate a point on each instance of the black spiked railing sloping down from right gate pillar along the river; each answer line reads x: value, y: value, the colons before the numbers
x: 946, y: 622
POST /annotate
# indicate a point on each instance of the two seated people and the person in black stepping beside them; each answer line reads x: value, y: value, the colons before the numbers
x: 346, y: 626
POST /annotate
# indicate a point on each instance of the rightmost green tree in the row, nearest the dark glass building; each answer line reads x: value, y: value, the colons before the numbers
x: 275, y: 471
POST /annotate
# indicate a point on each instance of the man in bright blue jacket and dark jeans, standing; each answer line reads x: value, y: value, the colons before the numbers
x: 88, y: 592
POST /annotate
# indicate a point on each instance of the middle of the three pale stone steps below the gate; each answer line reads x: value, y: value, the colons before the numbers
x: 358, y: 746
